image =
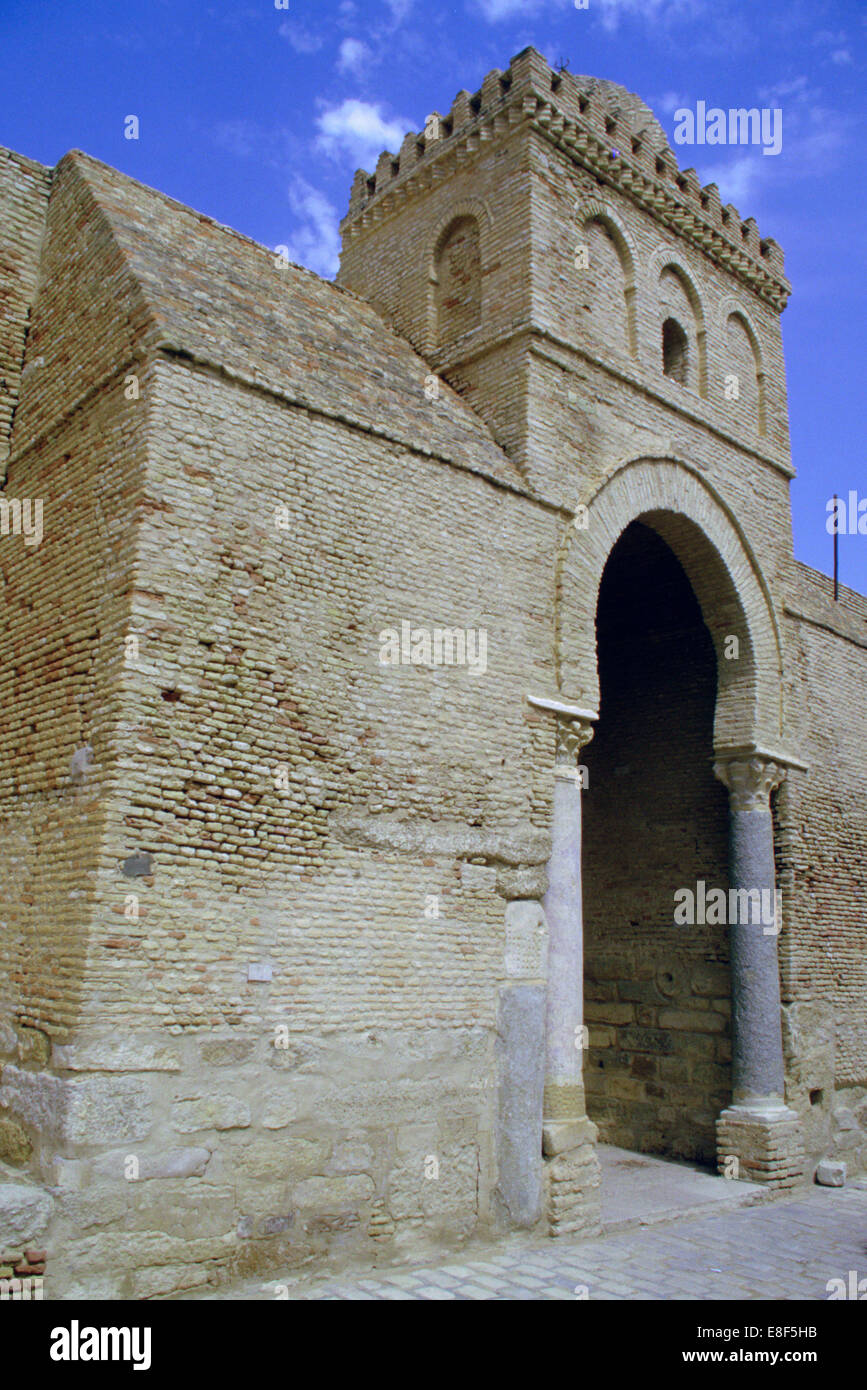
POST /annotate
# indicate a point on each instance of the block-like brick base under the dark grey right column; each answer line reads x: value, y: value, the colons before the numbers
x: 761, y: 1143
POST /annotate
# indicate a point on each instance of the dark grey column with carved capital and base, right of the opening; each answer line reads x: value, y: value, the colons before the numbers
x: 758, y: 1138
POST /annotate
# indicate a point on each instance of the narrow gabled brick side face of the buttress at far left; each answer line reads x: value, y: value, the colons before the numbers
x: 65, y: 604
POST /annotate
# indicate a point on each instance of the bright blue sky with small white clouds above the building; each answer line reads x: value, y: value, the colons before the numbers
x: 259, y: 116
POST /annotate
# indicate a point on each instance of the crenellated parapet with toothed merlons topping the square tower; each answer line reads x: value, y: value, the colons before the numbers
x: 602, y: 129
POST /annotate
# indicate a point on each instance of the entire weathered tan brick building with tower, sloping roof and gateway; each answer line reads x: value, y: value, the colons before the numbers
x: 294, y: 958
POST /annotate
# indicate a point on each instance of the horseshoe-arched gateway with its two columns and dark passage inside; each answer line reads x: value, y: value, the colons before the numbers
x: 688, y: 532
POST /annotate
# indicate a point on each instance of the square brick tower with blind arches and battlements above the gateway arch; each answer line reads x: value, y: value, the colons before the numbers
x: 591, y: 301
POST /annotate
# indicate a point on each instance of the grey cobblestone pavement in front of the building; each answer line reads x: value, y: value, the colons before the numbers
x: 786, y: 1249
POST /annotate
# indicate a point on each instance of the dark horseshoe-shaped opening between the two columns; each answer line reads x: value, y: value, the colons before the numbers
x: 657, y: 822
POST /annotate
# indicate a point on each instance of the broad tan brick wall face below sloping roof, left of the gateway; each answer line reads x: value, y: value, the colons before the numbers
x: 329, y: 954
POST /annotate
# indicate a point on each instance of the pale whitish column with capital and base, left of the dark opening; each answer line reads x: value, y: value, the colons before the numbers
x: 569, y: 1139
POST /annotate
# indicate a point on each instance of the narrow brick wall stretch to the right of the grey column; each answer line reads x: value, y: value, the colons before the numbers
x: 822, y: 847
